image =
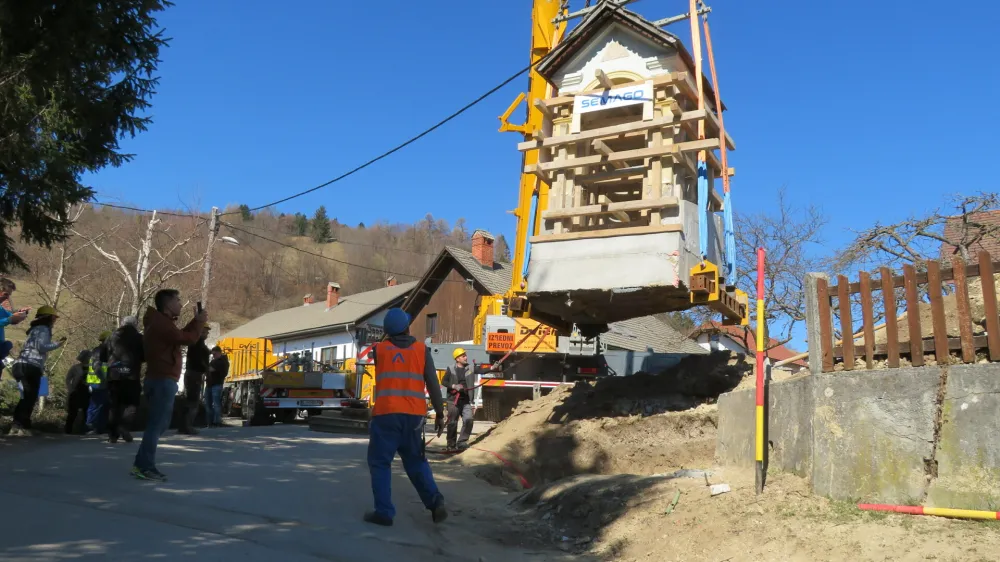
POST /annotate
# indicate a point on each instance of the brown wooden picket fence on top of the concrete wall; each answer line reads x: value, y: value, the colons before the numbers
x: 914, y: 285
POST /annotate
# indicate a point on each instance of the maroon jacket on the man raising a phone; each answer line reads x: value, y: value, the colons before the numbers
x: 162, y: 341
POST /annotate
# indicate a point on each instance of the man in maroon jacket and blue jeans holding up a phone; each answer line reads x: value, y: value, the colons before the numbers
x: 162, y: 342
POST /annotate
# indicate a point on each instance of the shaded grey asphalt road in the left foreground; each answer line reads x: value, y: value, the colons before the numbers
x: 246, y: 494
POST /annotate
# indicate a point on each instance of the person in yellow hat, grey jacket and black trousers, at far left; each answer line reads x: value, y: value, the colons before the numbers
x: 30, y: 365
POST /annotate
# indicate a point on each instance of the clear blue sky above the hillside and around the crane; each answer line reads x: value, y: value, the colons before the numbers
x: 871, y: 110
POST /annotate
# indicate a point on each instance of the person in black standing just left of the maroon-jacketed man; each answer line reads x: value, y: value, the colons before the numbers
x: 125, y: 359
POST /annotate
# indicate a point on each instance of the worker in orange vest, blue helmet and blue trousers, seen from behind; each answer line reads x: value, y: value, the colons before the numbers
x: 403, y: 368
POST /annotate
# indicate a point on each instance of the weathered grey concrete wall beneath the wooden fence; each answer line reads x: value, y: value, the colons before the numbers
x: 918, y: 436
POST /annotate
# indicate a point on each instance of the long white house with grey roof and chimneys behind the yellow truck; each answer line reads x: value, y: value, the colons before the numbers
x: 325, y: 330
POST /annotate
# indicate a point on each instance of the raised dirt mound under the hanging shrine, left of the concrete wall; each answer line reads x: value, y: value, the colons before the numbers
x: 641, y: 424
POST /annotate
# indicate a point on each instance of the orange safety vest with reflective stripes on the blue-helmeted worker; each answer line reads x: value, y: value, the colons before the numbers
x: 399, y: 379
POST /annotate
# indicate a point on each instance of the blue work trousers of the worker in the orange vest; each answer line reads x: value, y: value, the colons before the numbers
x: 399, y: 433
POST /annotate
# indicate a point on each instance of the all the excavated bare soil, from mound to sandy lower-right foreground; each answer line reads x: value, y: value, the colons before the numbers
x: 622, y: 469
